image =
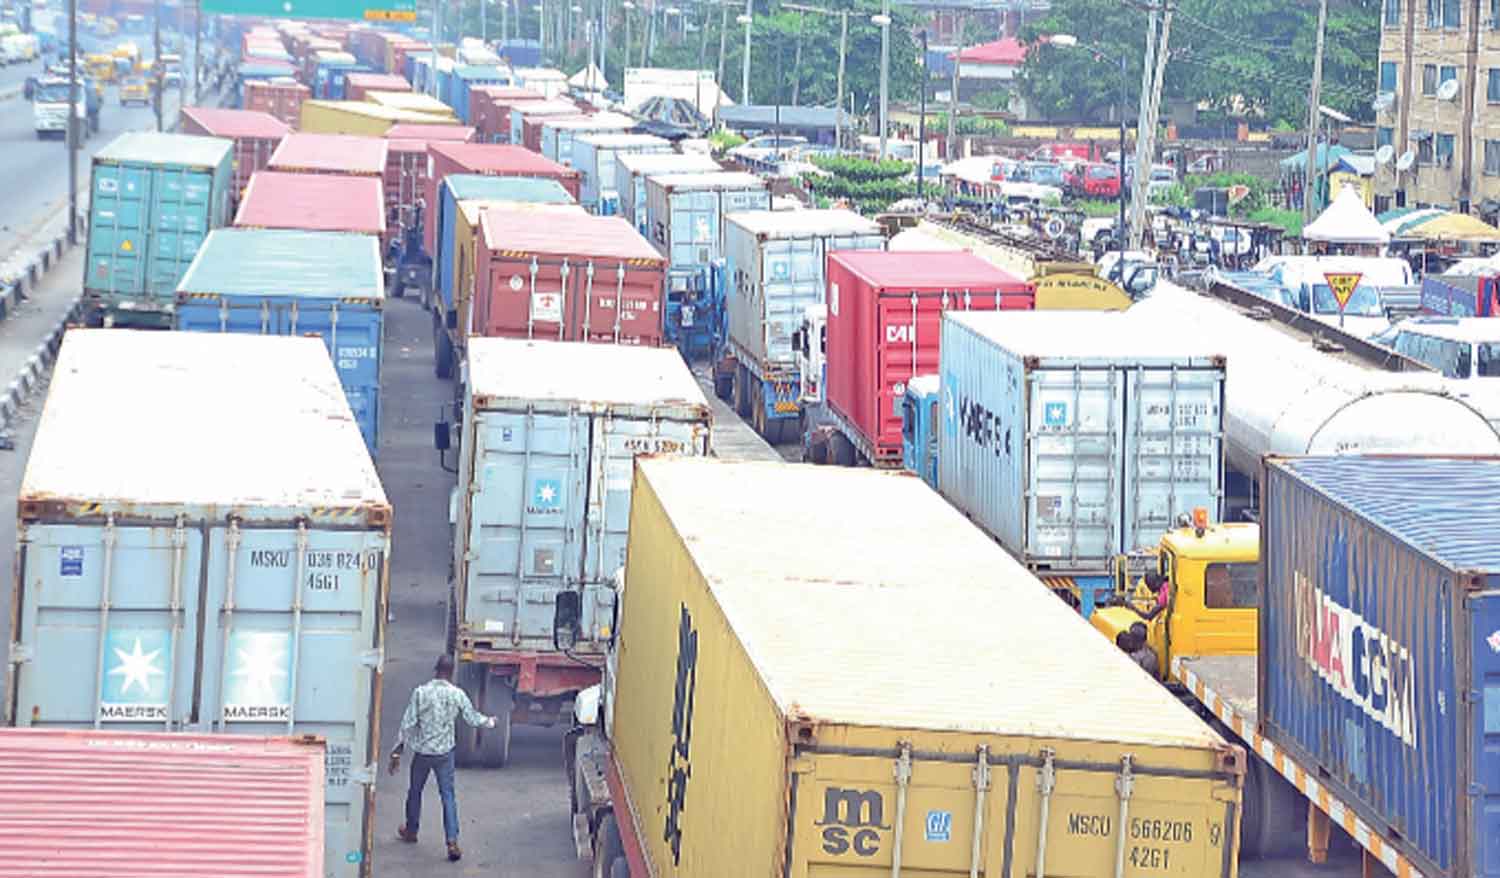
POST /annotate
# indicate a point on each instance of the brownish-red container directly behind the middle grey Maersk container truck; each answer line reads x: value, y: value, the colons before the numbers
x: 565, y: 277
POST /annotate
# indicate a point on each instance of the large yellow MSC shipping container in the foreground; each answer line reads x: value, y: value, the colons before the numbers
x: 824, y: 690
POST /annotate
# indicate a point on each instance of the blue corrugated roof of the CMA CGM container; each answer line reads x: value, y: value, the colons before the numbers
x: 1441, y: 507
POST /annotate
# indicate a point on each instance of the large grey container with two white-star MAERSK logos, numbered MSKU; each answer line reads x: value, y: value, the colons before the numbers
x: 200, y: 571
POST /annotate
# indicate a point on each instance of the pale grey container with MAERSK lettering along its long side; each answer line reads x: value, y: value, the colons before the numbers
x: 1072, y: 439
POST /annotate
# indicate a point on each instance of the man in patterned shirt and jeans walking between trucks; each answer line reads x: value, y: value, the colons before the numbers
x: 428, y: 727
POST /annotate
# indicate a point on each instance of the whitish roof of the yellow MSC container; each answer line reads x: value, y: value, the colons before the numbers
x: 959, y: 636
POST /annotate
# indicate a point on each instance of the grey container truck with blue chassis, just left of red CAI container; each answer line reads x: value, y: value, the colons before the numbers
x: 775, y: 269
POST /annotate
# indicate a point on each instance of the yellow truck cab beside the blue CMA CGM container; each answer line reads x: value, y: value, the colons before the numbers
x: 1214, y: 594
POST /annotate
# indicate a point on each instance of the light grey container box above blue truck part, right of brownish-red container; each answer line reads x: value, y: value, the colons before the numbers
x: 686, y: 214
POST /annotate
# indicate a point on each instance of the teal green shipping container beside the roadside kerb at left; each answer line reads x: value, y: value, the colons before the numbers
x: 154, y: 200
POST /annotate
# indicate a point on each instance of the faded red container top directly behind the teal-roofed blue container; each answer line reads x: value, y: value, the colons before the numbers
x: 313, y: 202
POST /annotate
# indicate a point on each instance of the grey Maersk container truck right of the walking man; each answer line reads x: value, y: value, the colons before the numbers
x: 539, y: 516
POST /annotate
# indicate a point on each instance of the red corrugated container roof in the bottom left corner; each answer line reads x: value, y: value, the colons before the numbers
x: 143, y: 805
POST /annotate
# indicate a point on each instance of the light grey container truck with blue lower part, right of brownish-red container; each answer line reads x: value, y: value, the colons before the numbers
x: 685, y: 221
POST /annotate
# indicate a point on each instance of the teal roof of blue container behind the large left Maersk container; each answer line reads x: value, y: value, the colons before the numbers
x: 284, y: 262
